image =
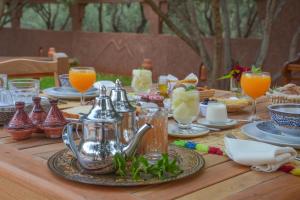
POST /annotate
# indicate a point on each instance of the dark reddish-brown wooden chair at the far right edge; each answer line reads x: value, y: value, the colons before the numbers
x: 290, y: 69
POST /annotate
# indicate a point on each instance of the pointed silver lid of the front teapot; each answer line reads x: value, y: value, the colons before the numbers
x: 103, y: 109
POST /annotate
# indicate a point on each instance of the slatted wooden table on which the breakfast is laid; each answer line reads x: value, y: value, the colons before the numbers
x: 24, y: 175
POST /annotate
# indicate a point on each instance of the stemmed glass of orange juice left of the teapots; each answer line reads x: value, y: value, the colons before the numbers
x: 82, y: 79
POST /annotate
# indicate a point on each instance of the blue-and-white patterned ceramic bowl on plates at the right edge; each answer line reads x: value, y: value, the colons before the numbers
x: 286, y: 118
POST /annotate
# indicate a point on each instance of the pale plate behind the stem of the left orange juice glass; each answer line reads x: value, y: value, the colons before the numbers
x: 69, y: 93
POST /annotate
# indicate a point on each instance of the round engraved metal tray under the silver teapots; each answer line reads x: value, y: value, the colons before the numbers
x: 65, y: 165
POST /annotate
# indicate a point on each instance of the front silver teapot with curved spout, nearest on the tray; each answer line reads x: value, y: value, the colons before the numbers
x: 101, y: 137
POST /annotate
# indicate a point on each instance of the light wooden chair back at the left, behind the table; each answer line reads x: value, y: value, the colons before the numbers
x: 27, y: 67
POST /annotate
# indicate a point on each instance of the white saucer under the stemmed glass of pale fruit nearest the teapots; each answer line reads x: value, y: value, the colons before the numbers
x: 174, y: 131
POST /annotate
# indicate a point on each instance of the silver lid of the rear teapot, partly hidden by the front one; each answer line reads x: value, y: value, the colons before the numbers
x: 119, y: 98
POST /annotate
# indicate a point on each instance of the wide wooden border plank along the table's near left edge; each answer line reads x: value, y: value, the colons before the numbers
x: 35, y: 175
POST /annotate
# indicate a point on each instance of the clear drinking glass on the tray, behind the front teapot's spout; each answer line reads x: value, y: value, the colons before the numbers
x: 155, y: 141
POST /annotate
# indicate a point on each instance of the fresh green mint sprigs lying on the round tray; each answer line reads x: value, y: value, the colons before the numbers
x: 140, y: 167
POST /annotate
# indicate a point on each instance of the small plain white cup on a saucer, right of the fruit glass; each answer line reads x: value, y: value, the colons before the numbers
x: 216, y: 113
